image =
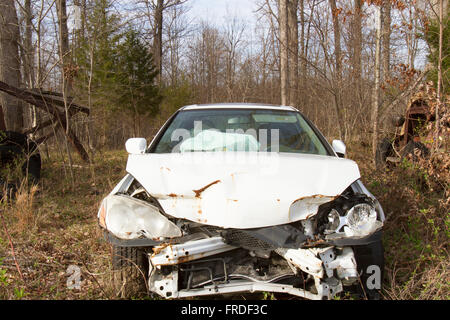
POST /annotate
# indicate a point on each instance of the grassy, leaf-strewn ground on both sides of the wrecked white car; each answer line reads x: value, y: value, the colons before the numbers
x: 53, y: 230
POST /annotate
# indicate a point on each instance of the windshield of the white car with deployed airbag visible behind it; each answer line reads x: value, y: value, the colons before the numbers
x: 253, y: 130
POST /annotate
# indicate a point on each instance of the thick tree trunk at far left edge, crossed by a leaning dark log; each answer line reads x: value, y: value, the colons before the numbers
x: 10, y: 65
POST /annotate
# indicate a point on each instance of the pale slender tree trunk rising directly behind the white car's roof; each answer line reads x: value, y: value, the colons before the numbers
x: 284, y: 72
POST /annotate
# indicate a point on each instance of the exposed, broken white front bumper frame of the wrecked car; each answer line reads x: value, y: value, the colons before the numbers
x: 324, y: 271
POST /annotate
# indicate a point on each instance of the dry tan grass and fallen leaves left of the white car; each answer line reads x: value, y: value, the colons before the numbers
x: 52, y: 226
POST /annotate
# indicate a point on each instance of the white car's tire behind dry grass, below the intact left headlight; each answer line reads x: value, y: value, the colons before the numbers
x: 130, y: 269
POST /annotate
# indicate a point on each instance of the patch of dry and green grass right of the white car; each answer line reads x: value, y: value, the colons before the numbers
x: 416, y: 232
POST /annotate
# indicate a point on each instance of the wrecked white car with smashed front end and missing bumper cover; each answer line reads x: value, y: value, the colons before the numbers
x: 234, y: 198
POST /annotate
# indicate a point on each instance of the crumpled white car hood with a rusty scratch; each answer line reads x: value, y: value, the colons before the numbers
x: 242, y: 189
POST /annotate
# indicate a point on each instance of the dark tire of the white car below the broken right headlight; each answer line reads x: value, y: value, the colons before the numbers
x: 370, y: 265
